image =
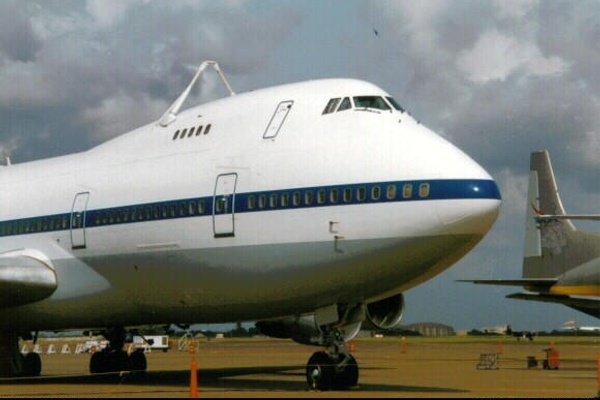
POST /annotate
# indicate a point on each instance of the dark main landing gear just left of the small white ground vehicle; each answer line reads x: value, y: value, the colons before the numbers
x: 113, y: 358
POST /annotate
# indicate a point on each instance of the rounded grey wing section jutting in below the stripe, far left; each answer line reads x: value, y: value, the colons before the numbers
x: 24, y: 280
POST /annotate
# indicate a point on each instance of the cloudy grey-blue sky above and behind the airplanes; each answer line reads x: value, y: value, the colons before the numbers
x: 498, y: 78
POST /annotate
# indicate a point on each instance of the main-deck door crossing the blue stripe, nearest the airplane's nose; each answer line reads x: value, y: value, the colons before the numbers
x: 224, y: 205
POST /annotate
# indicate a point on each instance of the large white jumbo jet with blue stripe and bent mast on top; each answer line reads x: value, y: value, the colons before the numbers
x: 308, y: 207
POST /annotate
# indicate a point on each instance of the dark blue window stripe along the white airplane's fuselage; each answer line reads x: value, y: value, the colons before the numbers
x: 263, y: 201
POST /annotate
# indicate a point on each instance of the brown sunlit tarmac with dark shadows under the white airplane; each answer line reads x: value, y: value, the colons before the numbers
x: 389, y: 367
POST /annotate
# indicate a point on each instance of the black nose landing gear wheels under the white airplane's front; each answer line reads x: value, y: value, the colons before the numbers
x: 332, y: 369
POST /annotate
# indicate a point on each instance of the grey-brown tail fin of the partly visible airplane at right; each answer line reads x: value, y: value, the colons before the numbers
x: 553, y: 245
